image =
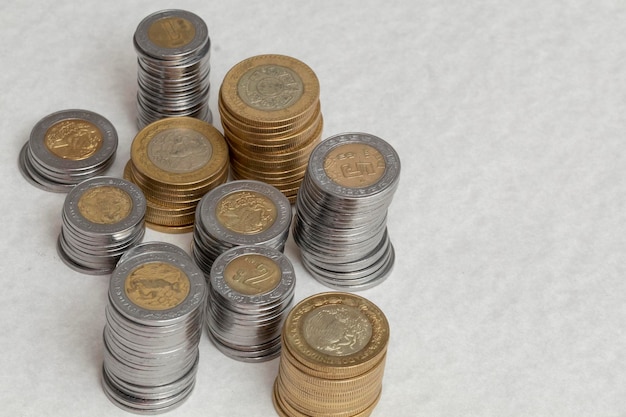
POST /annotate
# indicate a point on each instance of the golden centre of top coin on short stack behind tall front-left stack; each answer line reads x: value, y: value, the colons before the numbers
x: 105, y: 205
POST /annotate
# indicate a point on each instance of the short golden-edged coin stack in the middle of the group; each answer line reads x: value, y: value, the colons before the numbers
x: 175, y: 162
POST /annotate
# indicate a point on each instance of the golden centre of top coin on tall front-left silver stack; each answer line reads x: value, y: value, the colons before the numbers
x: 157, y: 286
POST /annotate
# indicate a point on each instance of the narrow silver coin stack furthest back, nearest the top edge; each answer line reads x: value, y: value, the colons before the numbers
x: 173, y: 49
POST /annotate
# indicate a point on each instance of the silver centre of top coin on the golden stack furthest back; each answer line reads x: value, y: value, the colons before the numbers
x: 270, y: 87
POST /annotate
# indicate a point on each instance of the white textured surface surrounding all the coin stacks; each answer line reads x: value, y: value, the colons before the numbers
x: 507, y: 296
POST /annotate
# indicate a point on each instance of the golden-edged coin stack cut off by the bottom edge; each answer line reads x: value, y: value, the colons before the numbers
x: 333, y: 357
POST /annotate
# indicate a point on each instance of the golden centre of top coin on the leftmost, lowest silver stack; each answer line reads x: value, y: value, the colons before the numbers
x: 73, y: 139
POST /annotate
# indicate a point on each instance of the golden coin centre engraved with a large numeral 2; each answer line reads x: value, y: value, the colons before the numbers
x: 252, y: 274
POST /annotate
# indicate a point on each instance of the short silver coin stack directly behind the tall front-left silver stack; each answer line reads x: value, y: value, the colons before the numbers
x: 102, y: 218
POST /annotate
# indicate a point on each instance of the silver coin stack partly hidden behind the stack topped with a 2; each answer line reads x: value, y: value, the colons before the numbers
x: 242, y: 212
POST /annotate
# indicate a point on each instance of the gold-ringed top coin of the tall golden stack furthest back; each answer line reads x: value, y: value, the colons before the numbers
x: 270, y: 90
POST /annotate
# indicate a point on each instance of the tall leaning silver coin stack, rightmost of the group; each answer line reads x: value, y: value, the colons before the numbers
x: 340, y: 223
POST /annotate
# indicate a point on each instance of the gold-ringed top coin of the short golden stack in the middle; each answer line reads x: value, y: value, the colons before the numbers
x: 185, y: 151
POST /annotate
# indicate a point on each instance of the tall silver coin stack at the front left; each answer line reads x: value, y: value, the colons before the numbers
x: 154, y: 321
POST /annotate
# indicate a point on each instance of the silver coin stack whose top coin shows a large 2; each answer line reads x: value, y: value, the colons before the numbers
x: 250, y: 292
